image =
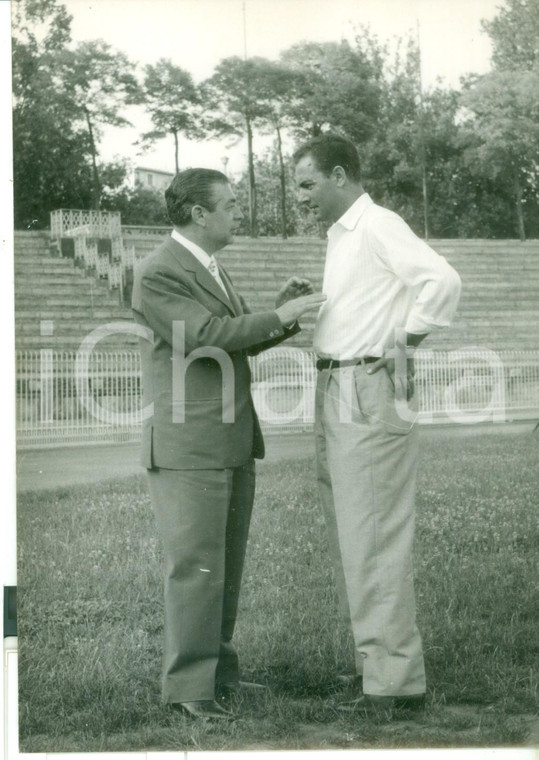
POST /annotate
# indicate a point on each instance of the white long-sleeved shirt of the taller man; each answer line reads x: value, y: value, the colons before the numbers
x: 379, y: 276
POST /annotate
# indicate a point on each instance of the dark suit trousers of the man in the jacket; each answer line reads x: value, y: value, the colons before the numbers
x: 203, y: 517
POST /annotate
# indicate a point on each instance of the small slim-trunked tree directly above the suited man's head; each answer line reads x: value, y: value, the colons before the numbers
x: 173, y: 103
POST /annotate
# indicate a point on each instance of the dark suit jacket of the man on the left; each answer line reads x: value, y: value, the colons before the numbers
x: 171, y: 284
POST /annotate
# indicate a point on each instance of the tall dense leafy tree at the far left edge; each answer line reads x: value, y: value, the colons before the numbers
x: 49, y: 150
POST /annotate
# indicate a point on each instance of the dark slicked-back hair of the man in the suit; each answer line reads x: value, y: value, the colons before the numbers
x: 192, y: 187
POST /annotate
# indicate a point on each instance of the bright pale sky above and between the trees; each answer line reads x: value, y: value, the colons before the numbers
x: 197, y: 34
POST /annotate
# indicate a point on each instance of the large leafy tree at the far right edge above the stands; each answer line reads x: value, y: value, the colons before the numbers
x: 503, y: 111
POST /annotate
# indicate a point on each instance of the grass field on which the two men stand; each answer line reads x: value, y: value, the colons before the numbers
x: 90, y: 613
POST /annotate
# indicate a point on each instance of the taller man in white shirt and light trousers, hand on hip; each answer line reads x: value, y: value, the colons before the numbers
x: 382, y: 283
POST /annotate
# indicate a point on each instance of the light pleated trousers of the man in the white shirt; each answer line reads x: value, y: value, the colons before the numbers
x: 366, y: 466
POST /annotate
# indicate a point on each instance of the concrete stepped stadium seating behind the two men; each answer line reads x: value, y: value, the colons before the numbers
x: 499, y: 306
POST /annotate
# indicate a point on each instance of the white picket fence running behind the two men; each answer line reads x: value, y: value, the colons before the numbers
x: 56, y: 405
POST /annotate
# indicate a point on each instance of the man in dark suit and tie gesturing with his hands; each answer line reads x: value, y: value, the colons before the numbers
x: 200, y: 443
